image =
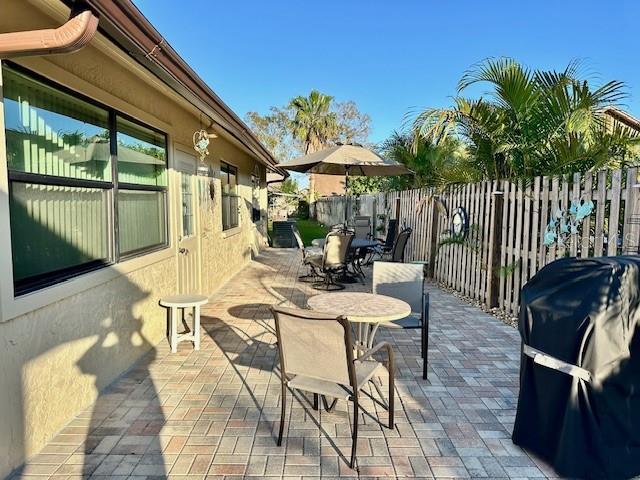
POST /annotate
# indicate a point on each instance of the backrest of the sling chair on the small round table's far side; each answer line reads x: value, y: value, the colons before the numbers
x: 404, y: 281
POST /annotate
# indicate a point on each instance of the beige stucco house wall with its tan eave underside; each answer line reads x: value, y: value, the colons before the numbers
x: 61, y: 345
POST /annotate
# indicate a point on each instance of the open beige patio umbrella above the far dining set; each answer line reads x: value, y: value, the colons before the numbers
x: 347, y: 160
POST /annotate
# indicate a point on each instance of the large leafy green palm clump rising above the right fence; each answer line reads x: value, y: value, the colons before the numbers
x: 531, y: 122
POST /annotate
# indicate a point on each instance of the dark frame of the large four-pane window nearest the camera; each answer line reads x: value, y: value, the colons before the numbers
x: 45, y: 280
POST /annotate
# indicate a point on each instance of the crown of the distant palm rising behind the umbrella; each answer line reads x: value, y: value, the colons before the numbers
x: 313, y: 122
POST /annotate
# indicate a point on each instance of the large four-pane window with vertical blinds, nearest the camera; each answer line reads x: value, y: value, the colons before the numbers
x: 74, y: 168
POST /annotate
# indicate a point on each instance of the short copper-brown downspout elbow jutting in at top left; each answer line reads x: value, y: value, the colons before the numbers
x: 67, y: 38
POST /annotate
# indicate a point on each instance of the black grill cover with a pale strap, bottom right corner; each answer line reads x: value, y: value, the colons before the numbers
x: 584, y: 312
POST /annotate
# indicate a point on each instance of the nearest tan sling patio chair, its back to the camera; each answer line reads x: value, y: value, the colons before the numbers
x: 316, y: 356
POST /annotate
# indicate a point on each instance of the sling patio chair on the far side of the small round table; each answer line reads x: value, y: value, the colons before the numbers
x: 405, y: 281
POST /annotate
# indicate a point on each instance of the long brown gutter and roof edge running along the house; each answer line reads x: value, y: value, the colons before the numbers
x: 127, y: 27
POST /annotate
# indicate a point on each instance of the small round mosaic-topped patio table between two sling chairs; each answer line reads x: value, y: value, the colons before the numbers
x: 367, y: 310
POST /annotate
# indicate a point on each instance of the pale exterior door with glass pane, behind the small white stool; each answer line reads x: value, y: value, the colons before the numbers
x: 188, y: 224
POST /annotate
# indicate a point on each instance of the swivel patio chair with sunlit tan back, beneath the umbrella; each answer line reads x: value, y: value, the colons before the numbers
x: 333, y: 260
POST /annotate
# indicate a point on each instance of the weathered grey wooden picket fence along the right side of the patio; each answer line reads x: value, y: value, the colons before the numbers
x: 473, y: 266
